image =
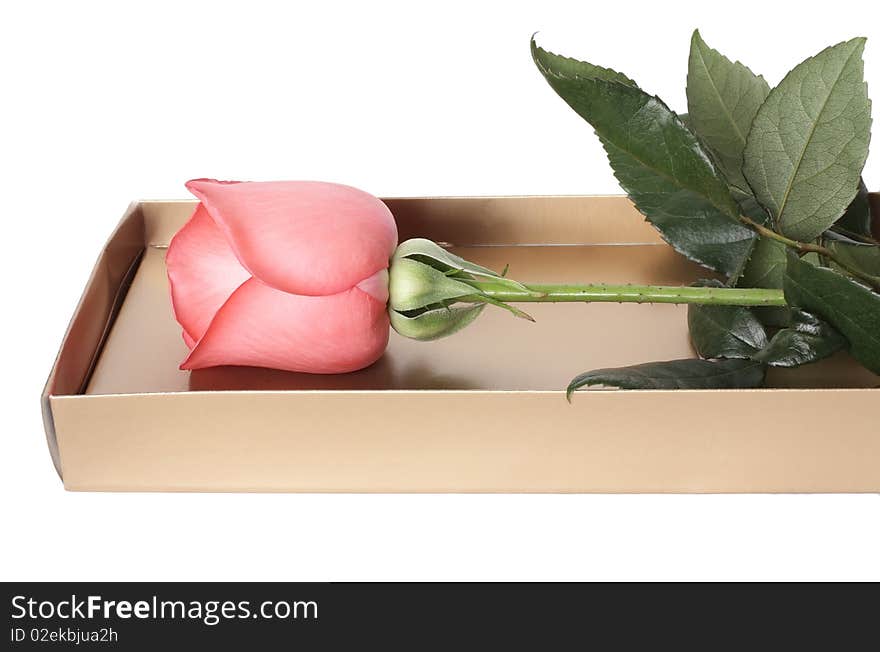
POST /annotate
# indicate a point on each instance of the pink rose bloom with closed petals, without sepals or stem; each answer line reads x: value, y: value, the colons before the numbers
x: 290, y: 275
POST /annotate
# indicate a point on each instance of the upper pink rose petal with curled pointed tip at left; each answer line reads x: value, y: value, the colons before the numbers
x: 303, y: 237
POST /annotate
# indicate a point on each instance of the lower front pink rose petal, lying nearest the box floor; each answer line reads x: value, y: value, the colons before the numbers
x: 263, y: 327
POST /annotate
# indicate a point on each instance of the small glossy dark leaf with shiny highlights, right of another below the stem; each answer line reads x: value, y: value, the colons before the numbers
x: 807, y: 339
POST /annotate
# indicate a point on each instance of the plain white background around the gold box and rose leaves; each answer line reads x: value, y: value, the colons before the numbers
x: 103, y: 103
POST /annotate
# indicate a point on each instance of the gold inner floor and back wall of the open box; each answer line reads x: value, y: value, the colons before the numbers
x: 544, y: 240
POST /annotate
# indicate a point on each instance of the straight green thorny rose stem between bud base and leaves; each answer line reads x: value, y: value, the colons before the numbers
x: 630, y: 294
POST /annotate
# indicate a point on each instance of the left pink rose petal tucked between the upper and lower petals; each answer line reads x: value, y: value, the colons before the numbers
x: 203, y: 272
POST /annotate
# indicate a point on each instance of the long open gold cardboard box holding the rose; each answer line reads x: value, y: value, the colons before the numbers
x: 482, y: 411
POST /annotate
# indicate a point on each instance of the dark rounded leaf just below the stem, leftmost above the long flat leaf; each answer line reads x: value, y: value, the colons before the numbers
x: 725, y: 331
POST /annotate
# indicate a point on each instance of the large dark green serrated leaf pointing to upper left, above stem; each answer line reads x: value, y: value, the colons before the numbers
x: 658, y: 161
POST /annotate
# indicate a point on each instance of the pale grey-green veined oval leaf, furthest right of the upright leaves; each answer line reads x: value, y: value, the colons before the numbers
x: 808, y: 143
